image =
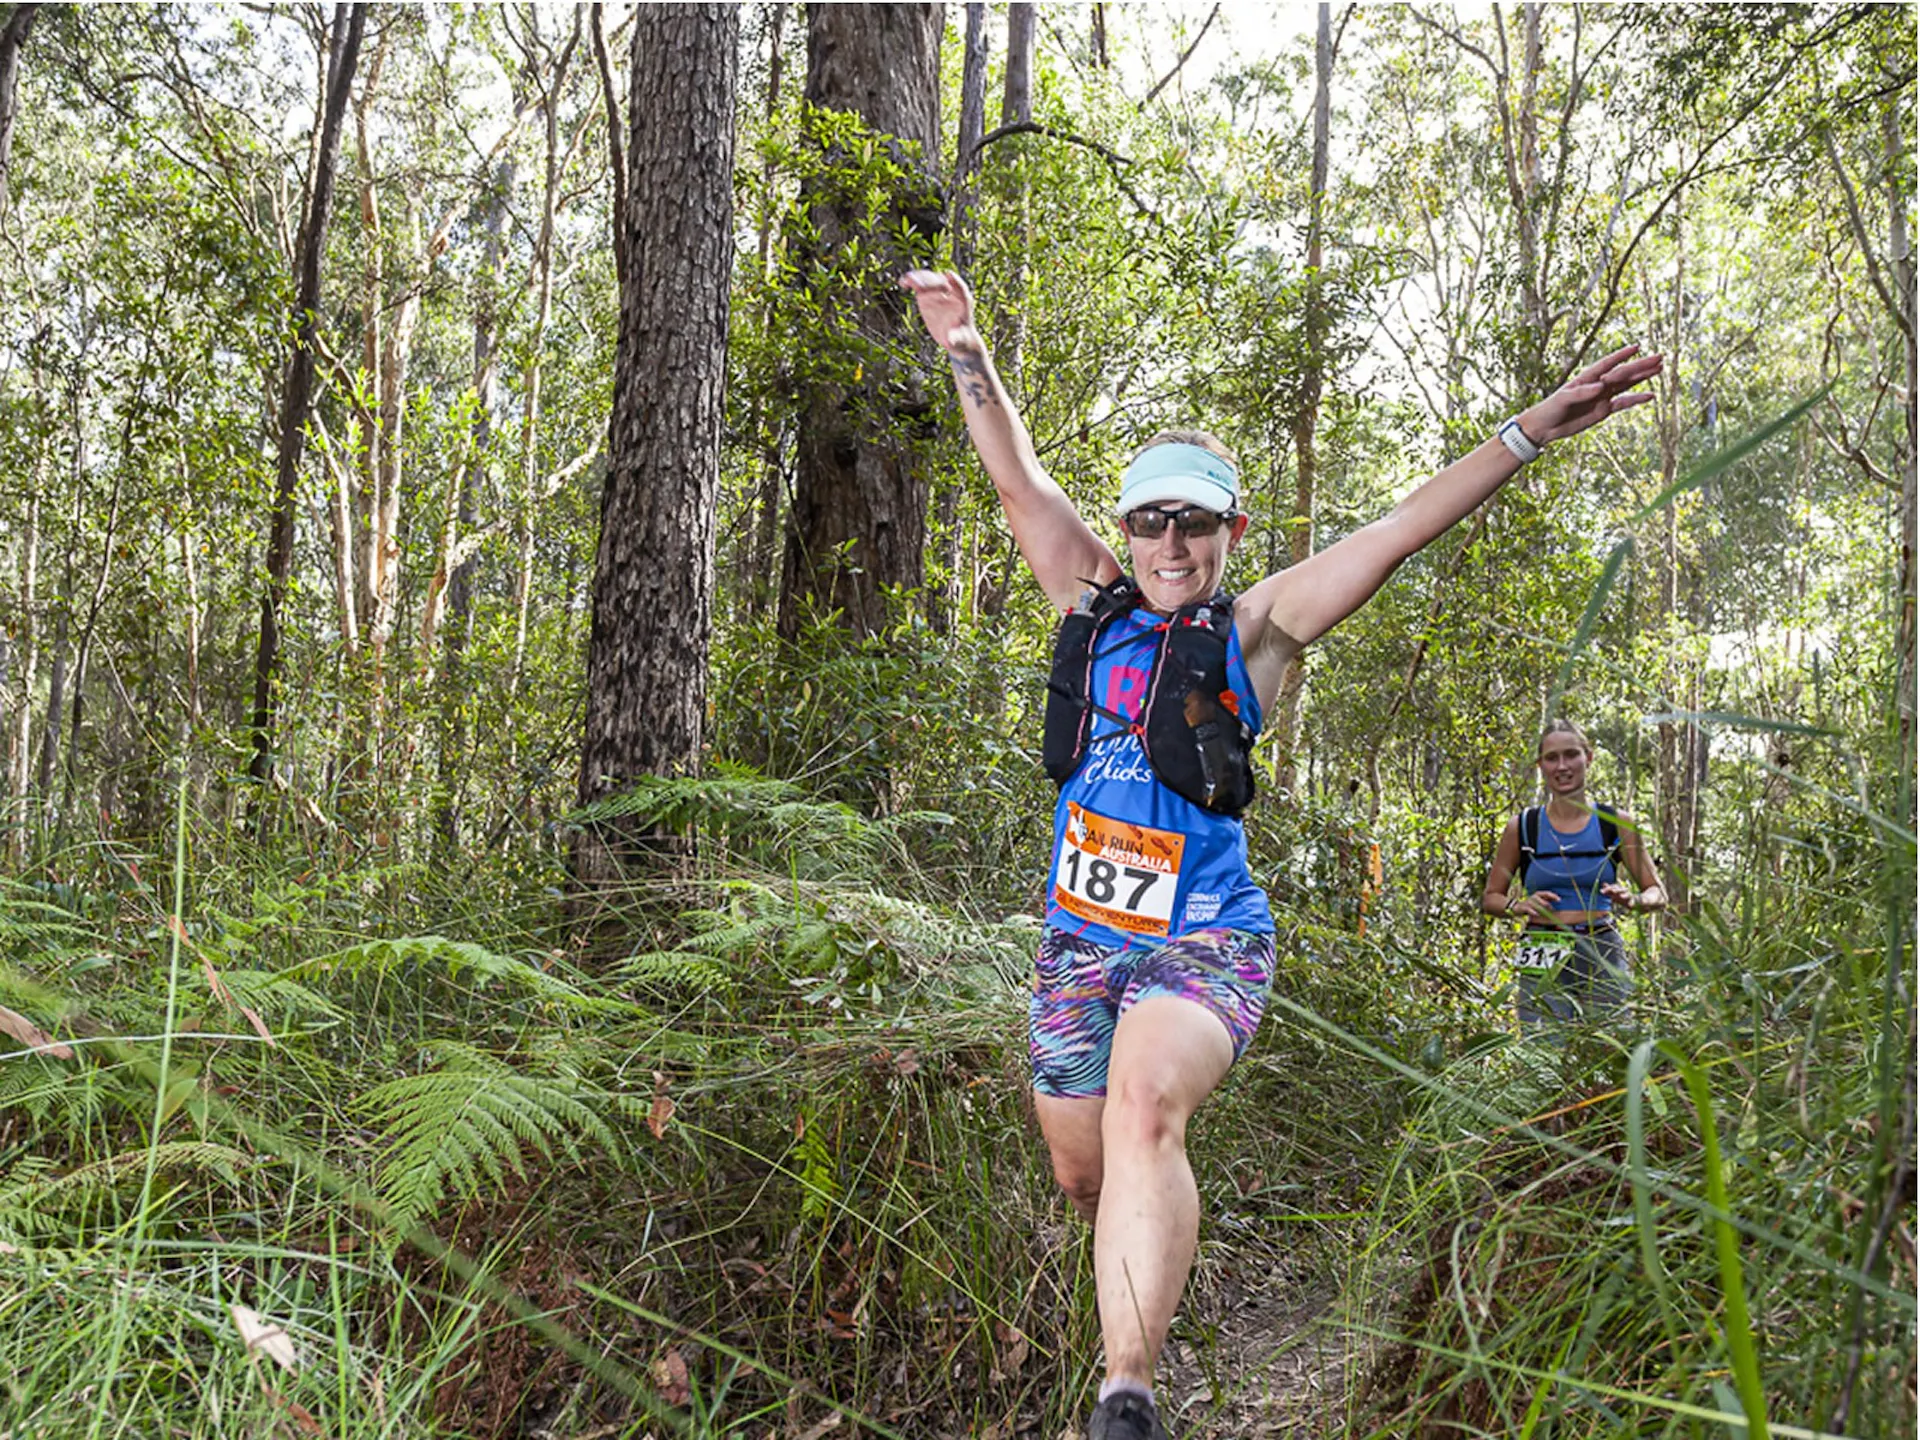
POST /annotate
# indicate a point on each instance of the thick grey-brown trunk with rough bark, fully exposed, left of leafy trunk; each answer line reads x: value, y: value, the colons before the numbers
x: 656, y: 564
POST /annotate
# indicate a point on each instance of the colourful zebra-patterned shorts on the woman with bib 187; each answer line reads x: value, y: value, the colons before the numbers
x: 1082, y: 990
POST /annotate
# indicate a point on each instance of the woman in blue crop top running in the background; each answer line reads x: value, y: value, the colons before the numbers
x: 1570, y: 855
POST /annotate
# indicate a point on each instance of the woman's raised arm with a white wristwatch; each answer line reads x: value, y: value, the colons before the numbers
x: 1299, y: 606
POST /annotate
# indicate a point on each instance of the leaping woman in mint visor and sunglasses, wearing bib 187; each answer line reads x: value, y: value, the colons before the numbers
x: 1159, y: 946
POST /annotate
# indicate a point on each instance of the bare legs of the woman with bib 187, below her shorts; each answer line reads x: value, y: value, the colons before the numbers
x: 1124, y: 1164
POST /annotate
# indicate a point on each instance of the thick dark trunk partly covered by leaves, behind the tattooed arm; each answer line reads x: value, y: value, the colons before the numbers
x: 861, y: 508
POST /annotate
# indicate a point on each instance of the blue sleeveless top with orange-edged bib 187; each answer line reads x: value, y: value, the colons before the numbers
x: 1134, y: 863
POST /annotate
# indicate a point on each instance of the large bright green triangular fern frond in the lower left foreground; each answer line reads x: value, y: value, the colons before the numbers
x: 469, y: 1124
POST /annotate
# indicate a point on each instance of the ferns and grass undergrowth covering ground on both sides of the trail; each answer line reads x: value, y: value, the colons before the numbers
x: 746, y: 1151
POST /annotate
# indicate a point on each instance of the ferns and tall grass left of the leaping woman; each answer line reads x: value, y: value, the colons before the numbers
x: 767, y: 1163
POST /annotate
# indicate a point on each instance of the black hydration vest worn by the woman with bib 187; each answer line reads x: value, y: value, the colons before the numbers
x: 1189, y: 727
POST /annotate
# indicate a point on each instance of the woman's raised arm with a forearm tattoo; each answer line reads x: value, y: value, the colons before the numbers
x: 1059, y: 546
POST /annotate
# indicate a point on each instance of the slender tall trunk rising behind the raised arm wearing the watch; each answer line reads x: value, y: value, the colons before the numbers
x: 1312, y: 381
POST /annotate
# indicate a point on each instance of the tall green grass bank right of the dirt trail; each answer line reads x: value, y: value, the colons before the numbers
x: 1694, y: 1226
